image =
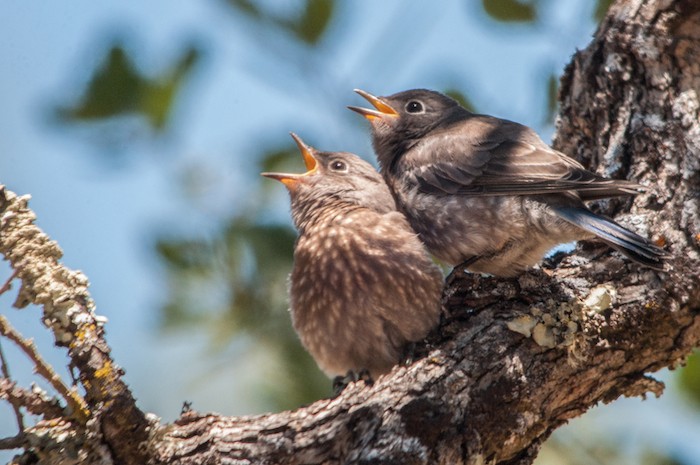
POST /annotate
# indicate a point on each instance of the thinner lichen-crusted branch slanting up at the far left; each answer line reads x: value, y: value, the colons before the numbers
x: 68, y: 311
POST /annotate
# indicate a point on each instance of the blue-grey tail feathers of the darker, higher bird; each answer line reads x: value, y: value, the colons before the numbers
x: 632, y: 245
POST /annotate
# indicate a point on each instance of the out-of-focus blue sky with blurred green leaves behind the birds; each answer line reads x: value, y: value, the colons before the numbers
x: 140, y: 129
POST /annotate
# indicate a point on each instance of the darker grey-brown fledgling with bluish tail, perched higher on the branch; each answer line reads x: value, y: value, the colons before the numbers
x: 488, y: 192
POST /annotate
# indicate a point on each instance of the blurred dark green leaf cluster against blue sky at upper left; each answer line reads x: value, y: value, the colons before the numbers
x: 117, y: 88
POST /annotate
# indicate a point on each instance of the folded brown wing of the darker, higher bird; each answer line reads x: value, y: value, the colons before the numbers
x: 488, y: 156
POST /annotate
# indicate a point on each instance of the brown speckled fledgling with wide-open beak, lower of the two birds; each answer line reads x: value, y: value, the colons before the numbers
x: 362, y: 286
